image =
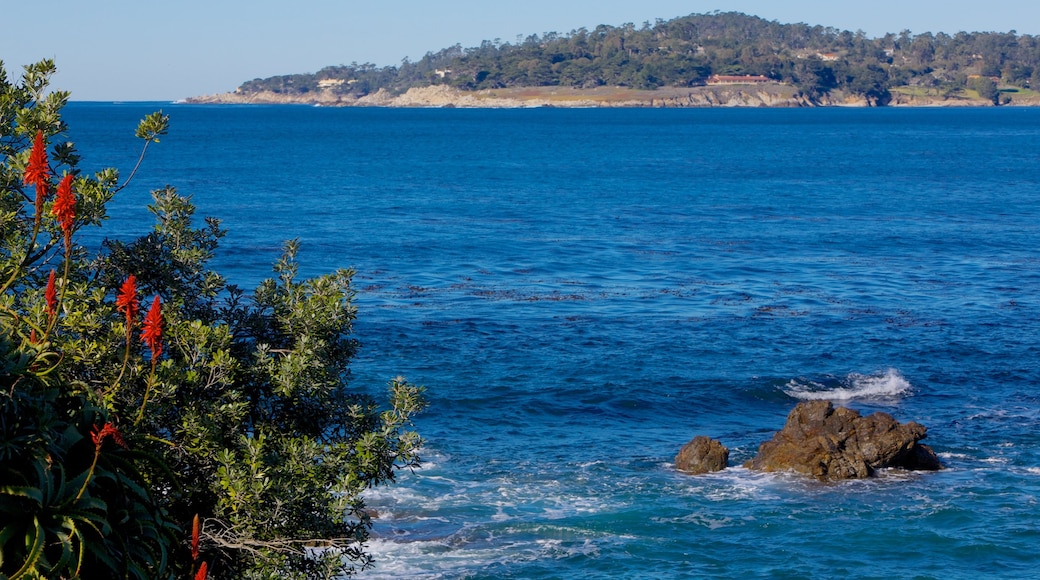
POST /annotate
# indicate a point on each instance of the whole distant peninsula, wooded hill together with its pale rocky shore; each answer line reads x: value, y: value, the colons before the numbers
x: 699, y: 61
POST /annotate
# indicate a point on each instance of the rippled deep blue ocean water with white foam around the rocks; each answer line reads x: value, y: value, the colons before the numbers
x: 584, y: 292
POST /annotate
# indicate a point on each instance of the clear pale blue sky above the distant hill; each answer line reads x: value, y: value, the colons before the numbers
x: 164, y: 50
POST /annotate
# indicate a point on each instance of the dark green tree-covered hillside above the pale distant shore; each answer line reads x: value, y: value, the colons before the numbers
x: 688, y: 51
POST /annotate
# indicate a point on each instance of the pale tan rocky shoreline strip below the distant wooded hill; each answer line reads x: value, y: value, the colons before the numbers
x: 768, y: 96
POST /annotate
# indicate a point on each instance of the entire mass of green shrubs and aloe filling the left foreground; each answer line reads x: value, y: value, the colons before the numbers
x: 244, y: 418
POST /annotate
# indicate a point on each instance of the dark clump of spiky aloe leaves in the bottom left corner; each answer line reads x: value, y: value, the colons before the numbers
x: 64, y: 516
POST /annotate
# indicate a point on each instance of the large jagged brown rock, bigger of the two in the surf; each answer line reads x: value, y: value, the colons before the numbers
x: 831, y: 444
